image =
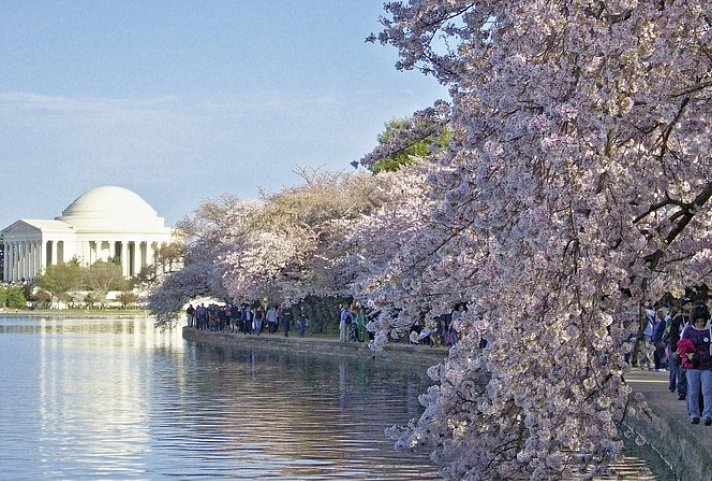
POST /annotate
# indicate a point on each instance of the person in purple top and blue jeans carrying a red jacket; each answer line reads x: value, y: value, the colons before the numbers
x: 694, y: 350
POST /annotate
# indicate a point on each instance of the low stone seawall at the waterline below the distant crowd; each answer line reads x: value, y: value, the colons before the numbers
x: 402, y: 354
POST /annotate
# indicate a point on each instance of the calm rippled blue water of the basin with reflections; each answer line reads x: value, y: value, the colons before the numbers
x: 117, y: 399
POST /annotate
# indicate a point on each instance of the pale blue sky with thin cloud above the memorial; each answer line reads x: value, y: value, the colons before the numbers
x: 183, y: 100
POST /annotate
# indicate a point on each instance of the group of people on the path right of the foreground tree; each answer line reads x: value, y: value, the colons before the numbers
x: 679, y: 335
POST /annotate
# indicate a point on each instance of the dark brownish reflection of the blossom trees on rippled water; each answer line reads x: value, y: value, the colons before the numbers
x: 304, y: 418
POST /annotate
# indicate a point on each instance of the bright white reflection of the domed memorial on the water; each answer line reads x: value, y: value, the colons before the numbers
x: 92, y: 401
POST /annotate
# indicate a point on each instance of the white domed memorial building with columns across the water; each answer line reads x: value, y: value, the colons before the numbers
x: 105, y: 222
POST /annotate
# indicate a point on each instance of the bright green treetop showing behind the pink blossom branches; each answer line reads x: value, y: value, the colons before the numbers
x: 421, y: 148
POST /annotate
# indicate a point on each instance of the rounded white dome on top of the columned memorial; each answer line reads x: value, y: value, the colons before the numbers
x: 113, y: 208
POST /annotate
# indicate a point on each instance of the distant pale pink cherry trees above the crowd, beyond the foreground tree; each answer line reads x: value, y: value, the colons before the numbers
x: 295, y: 243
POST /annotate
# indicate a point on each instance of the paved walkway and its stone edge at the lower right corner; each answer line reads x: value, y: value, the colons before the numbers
x: 686, y: 448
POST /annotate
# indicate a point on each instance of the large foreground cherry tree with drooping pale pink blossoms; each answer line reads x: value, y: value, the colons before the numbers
x: 576, y: 184
